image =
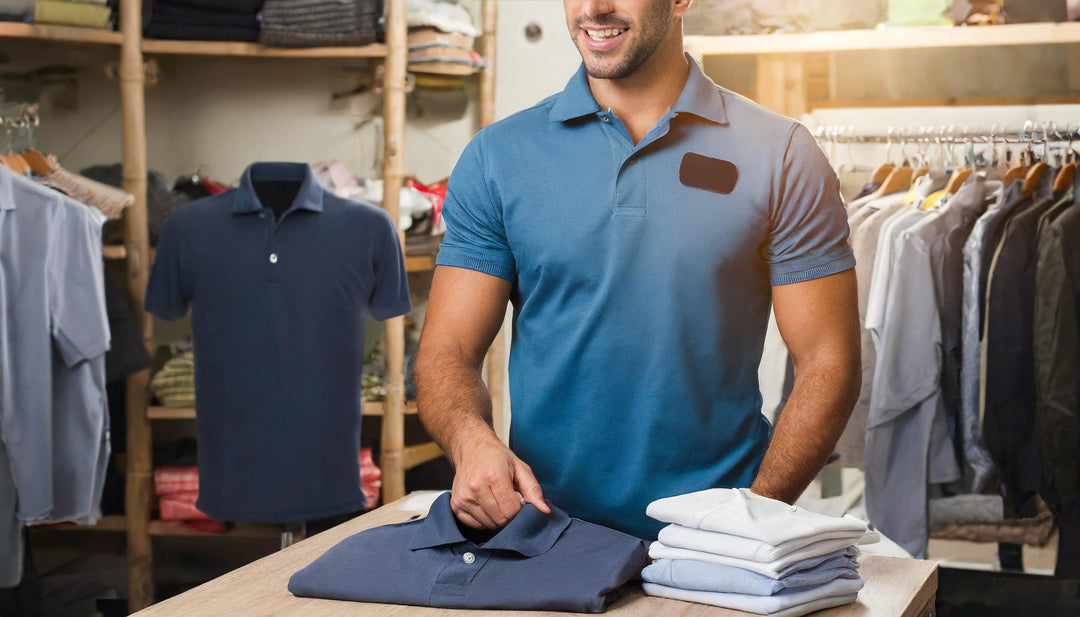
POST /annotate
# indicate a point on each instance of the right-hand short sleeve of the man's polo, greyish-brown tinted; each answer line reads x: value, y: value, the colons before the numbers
x: 809, y: 224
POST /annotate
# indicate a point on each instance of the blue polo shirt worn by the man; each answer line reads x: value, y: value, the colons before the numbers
x: 642, y: 285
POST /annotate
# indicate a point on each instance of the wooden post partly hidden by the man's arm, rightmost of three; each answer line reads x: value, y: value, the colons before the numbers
x: 495, y: 365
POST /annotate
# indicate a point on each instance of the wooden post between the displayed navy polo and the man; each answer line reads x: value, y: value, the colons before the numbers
x: 391, y: 458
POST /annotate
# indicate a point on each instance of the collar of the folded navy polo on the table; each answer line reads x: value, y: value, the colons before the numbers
x: 531, y: 533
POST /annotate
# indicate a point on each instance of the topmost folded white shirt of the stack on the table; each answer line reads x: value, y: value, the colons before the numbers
x: 739, y: 513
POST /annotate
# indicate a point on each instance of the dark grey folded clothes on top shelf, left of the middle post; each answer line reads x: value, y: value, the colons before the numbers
x: 320, y: 23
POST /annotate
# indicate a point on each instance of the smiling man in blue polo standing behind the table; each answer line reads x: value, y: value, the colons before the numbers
x: 641, y: 222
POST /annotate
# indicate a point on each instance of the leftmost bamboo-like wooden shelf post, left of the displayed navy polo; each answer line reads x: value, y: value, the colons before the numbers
x: 137, y: 239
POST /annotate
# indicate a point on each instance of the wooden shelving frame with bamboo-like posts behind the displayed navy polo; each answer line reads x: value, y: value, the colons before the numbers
x: 136, y: 252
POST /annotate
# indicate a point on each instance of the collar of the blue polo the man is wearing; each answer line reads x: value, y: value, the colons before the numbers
x: 700, y: 97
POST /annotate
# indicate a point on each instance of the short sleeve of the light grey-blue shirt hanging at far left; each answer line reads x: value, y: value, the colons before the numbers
x: 80, y: 325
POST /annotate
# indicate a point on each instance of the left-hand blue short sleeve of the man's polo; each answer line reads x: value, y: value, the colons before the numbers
x: 476, y: 236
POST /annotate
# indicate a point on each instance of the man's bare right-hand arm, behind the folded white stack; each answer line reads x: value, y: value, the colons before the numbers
x: 819, y: 323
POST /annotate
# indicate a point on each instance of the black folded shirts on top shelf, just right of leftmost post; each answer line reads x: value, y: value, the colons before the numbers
x: 202, y: 20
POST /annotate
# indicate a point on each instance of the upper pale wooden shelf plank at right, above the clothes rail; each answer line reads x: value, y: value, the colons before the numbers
x: 931, y: 37
